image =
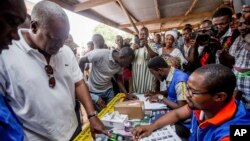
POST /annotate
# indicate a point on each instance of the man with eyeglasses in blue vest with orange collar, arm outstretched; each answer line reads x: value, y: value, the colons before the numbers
x: 211, y: 106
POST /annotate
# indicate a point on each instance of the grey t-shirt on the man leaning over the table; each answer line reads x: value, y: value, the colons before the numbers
x: 103, y: 69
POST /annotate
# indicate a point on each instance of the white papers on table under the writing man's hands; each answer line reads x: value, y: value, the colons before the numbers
x: 150, y: 106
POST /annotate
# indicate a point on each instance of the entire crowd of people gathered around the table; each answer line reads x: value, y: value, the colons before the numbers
x: 202, y: 74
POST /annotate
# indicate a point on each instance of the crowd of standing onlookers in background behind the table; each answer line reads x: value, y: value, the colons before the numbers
x: 220, y: 40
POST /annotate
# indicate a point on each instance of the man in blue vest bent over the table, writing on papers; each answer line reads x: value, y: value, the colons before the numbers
x: 174, y: 96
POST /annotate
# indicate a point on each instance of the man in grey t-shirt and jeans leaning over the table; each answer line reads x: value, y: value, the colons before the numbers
x: 105, y: 64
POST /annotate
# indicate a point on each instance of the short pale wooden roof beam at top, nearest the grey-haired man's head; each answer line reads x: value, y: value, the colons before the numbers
x: 89, y: 4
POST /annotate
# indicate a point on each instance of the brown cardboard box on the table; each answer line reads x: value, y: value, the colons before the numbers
x: 134, y: 109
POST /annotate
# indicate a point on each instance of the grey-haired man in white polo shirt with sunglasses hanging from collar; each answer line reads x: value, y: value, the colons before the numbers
x: 46, y: 78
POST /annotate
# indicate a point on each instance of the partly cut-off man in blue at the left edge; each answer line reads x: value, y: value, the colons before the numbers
x: 12, y: 14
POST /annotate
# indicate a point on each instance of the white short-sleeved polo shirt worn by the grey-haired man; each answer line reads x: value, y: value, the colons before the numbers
x: 46, y: 113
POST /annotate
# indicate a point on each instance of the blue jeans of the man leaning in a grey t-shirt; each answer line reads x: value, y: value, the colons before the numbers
x: 107, y: 96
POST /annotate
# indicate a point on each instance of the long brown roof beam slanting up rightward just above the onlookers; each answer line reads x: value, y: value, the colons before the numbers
x: 170, y: 19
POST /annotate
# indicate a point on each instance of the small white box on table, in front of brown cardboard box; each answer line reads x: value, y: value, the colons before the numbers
x: 115, y: 120
